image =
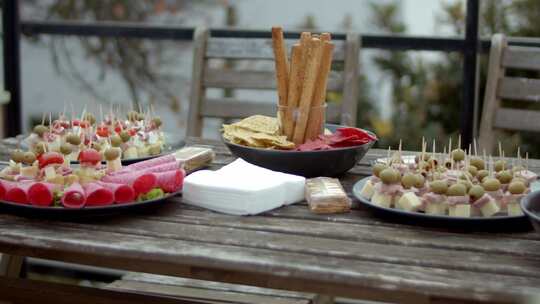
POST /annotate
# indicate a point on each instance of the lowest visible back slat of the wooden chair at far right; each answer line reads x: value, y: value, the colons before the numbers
x: 515, y: 119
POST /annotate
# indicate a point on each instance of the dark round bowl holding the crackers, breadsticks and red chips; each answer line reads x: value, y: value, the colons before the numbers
x: 309, y: 164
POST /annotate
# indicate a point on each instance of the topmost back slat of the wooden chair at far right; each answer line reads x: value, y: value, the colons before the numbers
x: 521, y: 57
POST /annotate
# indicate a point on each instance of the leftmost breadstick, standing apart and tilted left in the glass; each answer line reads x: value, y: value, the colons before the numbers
x: 282, y: 64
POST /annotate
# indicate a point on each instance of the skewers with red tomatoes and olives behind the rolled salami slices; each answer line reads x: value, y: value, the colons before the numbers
x: 136, y: 135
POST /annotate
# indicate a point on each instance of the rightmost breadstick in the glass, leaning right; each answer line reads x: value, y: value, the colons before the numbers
x: 316, y: 117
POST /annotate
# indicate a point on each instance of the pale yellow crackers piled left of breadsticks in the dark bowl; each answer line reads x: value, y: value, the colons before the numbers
x: 257, y: 131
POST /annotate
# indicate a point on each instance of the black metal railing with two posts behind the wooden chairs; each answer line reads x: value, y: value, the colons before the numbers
x: 469, y: 46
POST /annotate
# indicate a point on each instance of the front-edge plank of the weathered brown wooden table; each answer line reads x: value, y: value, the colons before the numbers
x: 171, y: 257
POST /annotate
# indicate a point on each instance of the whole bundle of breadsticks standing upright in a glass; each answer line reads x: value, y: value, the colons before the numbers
x: 301, y: 83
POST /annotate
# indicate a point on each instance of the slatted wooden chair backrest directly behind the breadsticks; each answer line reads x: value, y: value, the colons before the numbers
x: 205, y: 76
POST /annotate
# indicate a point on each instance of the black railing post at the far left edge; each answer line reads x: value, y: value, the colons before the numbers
x: 12, y: 67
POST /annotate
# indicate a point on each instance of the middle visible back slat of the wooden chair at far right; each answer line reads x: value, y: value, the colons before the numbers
x: 519, y: 88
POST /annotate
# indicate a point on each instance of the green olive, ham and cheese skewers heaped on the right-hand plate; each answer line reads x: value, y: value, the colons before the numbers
x: 458, y: 183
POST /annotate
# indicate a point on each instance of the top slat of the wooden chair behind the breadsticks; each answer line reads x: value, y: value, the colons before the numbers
x: 255, y: 48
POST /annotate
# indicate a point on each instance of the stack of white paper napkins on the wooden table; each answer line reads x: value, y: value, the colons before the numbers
x: 241, y: 188
